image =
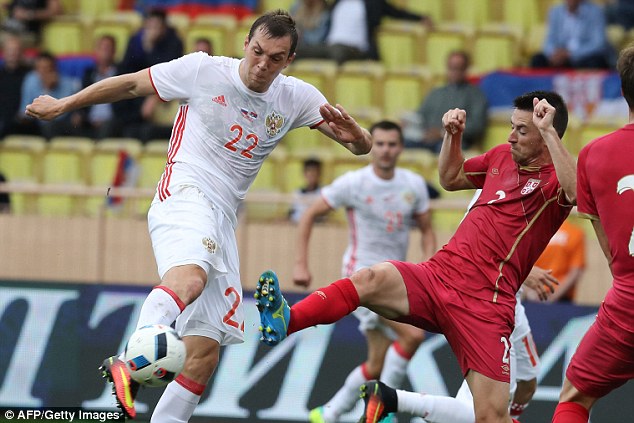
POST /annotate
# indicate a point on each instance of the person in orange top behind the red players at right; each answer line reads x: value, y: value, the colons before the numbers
x: 565, y: 258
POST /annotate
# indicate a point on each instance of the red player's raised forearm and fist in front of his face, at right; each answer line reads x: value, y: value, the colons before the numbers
x: 565, y: 166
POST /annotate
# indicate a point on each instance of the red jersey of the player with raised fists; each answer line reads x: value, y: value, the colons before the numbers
x: 506, y: 230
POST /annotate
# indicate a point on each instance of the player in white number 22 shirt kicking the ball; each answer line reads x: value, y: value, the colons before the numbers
x: 233, y: 113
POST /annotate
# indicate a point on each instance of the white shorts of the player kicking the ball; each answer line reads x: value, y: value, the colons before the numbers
x: 187, y: 228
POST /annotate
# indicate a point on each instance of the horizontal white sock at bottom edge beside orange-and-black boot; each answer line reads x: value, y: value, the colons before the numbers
x: 434, y: 408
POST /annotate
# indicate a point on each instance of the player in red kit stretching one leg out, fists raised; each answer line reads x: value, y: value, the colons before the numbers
x: 467, y: 289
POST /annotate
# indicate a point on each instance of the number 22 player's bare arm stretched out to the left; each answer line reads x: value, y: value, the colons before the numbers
x: 109, y: 90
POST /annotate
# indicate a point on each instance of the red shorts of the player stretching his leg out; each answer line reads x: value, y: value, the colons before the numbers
x: 478, y: 331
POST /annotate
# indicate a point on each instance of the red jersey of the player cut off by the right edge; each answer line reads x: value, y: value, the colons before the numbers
x: 605, y: 192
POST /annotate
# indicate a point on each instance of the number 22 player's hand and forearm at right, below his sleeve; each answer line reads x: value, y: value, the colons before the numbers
x: 342, y: 127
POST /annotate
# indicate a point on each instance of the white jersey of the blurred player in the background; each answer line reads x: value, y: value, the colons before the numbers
x: 380, y: 214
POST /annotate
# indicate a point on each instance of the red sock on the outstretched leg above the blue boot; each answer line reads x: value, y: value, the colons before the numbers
x: 324, y: 306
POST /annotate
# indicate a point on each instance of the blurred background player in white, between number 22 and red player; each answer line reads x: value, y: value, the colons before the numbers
x: 382, y: 203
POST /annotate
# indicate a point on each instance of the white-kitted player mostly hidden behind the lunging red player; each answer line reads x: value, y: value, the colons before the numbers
x: 524, y: 363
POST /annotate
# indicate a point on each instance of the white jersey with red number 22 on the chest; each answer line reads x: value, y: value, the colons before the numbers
x: 223, y: 131
